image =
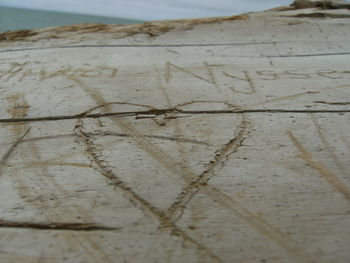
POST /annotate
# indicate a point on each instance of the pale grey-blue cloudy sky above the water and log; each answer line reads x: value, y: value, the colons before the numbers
x: 149, y: 9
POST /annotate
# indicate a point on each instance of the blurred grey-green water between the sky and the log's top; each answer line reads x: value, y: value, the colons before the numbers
x: 17, y: 19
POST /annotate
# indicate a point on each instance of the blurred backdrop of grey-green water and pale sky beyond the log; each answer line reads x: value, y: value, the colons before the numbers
x: 28, y: 14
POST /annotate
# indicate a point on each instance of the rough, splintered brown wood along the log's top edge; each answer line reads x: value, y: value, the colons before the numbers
x: 154, y: 28
